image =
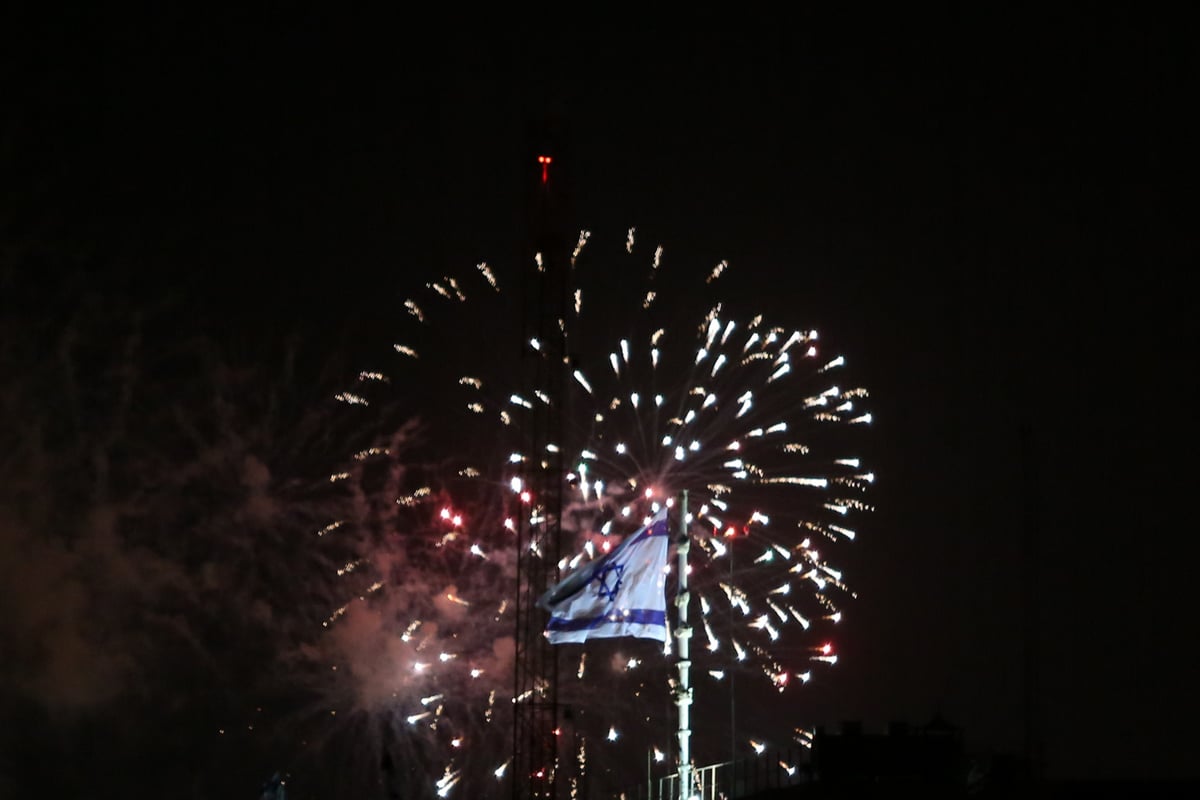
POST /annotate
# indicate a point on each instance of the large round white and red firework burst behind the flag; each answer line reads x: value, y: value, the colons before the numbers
x: 754, y: 419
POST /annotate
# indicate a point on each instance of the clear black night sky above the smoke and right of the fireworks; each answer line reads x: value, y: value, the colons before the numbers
x: 993, y: 212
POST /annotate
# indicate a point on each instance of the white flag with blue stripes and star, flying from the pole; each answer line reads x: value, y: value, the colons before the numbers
x: 622, y: 594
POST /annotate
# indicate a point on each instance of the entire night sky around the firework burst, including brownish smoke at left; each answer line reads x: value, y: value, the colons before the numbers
x: 993, y: 214
